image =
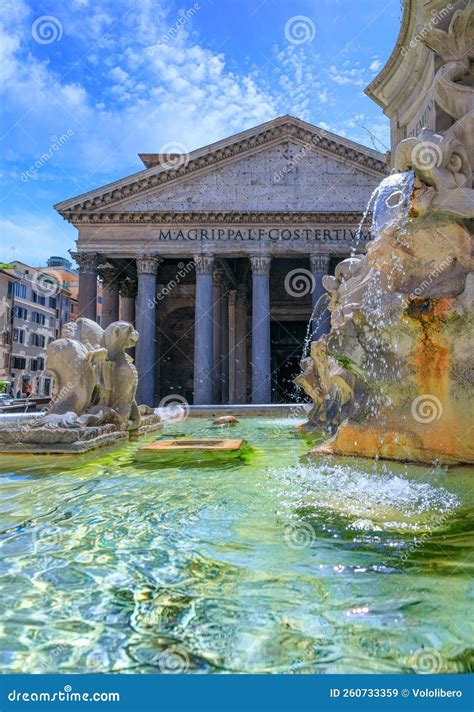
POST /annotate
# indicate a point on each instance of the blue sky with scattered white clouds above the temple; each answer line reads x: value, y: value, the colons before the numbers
x: 90, y: 83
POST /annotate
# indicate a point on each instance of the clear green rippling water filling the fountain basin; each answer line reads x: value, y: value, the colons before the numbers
x: 272, y: 564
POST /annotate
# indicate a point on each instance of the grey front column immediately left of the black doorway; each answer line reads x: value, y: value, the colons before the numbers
x: 261, y: 368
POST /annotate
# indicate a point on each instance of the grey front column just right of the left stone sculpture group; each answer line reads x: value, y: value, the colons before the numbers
x: 147, y: 266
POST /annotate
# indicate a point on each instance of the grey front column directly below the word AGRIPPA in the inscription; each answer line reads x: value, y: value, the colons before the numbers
x: 203, y: 361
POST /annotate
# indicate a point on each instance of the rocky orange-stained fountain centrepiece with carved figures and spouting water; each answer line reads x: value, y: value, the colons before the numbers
x: 396, y: 371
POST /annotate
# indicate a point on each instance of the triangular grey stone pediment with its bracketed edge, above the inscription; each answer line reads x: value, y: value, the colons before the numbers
x: 285, y: 164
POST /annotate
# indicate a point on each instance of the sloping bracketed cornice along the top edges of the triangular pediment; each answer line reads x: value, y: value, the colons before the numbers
x: 158, y: 176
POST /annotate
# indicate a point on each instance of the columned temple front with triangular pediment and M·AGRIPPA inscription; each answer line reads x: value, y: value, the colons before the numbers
x: 217, y: 256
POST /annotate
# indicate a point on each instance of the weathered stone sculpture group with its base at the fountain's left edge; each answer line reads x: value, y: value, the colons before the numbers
x: 94, y: 405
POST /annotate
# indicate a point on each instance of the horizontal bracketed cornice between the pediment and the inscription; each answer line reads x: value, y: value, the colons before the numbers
x: 215, y: 218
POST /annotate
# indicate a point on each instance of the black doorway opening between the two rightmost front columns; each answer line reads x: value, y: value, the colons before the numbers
x: 287, y: 347
